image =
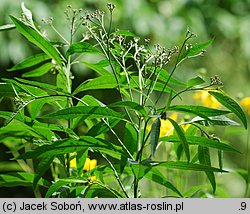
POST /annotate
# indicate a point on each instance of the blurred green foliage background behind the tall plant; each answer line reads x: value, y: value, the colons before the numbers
x: 164, y: 22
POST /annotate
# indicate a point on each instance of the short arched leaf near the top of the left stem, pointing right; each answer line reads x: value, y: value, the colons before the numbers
x: 82, y: 47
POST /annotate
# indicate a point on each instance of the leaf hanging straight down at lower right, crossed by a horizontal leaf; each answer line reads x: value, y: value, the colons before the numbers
x: 204, y: 158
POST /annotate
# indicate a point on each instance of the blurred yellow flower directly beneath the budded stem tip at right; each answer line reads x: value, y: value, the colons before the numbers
x: 206, y: 99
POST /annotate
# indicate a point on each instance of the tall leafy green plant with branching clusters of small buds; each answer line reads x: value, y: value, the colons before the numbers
x: 54, y: 130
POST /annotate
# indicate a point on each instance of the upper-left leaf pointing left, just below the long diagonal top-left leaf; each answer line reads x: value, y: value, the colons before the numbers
x: 30, y: 62
